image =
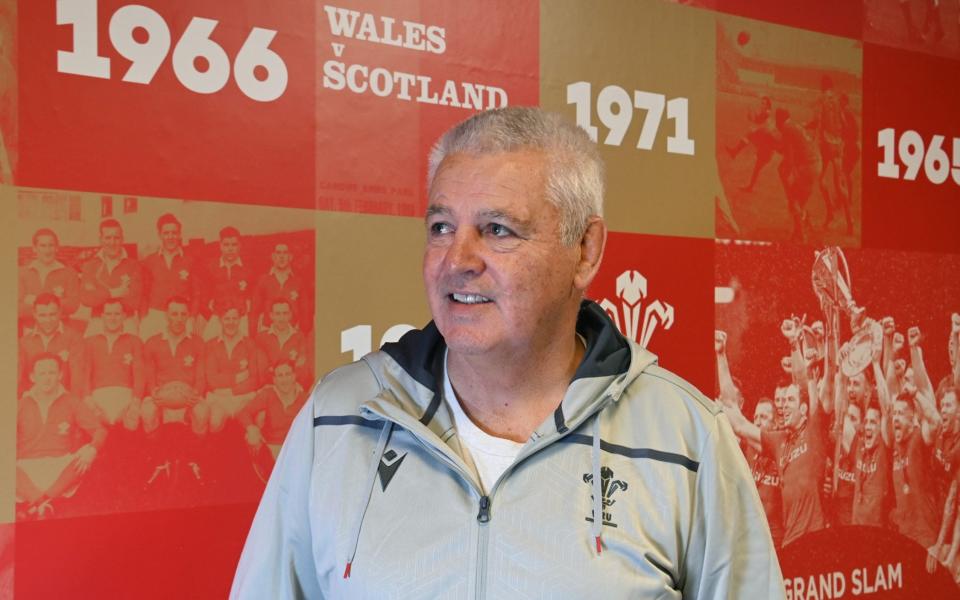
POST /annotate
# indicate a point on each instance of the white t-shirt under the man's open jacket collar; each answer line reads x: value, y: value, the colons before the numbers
x: 490, y: 455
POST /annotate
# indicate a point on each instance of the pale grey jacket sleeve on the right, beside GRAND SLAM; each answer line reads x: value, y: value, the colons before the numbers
x: 731, y: 553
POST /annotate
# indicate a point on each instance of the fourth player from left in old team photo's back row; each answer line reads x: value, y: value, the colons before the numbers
x: 228, y: 279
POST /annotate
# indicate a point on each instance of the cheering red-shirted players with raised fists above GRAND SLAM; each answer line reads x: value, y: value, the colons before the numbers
x: 836, y: 447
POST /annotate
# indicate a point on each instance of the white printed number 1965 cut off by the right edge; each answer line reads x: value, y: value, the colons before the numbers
x: 937, y: 165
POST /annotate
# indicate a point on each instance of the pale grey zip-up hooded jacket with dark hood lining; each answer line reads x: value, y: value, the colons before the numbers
x: 370, y: 497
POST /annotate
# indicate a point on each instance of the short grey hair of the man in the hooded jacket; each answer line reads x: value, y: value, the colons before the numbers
x: 574, y: 168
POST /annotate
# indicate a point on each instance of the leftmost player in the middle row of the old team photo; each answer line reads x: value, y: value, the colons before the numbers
x: 49, y: 335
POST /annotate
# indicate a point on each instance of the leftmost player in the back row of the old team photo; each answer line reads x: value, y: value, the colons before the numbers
x: 46, y: 274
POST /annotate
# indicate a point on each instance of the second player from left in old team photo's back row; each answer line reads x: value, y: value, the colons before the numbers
x: 111, y: 274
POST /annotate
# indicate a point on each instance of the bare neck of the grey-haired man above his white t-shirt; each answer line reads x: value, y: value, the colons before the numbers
x: 510, y: 395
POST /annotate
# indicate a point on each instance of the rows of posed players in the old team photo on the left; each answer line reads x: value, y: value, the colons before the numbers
x: 160, y: 352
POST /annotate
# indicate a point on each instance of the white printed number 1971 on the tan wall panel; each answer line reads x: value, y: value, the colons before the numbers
x: 615, y: 110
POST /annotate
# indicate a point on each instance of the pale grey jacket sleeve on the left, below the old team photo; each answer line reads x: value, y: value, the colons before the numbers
x: 277, y: 559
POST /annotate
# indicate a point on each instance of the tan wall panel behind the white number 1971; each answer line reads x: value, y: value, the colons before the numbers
x: 649, y: 47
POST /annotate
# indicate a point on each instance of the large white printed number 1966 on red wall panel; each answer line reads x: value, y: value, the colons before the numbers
x: 142, y: 36
